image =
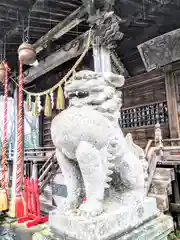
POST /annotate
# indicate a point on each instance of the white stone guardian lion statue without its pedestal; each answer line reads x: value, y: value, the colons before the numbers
x: 91, y: 149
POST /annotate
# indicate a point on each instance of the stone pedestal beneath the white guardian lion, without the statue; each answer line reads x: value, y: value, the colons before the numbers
x: 141, y: 222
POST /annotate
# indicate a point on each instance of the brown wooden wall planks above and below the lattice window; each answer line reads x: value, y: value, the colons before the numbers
x: 146, y: 88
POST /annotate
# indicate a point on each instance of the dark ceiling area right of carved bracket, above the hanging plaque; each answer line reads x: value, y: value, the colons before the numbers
x: 144, y: 20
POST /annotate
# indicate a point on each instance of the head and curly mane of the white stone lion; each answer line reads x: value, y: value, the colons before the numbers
x: 90, y: 89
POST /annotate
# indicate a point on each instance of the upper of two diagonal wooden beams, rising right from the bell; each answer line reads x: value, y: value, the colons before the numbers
x: 60, y: 29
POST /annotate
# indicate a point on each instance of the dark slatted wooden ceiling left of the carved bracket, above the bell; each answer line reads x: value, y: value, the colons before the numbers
x: 30, y: 20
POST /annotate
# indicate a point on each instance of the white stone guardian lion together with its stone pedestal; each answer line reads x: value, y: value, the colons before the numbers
x: 103, y: 166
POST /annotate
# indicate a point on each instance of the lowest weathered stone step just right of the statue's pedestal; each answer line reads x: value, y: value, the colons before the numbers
x: 162, y: 201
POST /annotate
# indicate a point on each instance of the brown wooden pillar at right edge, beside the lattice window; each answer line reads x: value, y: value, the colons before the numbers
x: 171, y: 97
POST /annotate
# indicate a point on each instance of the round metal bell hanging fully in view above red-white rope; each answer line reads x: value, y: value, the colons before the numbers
x: 27, y: 53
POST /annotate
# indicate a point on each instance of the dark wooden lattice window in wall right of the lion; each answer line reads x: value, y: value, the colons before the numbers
x: 144, y: 115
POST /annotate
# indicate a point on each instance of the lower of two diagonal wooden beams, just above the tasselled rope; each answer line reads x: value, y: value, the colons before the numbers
x: 75, y: 48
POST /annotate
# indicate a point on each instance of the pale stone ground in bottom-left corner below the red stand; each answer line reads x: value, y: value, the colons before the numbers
x: 11, y: 230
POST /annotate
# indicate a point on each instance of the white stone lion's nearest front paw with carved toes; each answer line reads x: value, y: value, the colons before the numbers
x: 91, y: 208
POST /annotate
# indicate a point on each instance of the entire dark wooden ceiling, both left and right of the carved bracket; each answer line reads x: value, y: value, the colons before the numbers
x: 142, y: 20
